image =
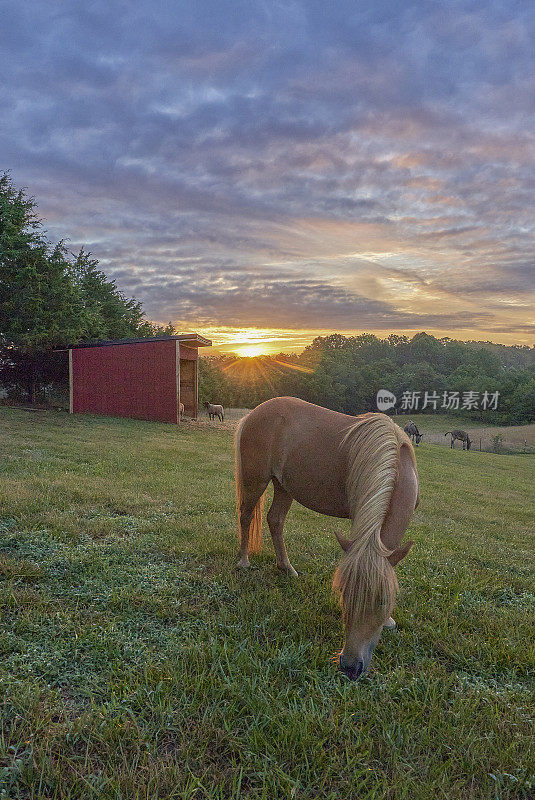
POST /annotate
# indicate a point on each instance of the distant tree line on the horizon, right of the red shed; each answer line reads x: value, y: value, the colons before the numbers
x: 346, y: 372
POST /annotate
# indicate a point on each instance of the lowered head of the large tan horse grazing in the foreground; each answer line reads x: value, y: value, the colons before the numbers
x: 364, y: 619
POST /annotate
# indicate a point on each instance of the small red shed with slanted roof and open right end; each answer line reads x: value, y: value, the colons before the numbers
x: 138, y: 378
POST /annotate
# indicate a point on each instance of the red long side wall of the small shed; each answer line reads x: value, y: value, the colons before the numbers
x: 128, y: 380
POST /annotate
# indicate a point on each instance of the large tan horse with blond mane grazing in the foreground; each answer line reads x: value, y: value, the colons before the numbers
x: 358, y: 468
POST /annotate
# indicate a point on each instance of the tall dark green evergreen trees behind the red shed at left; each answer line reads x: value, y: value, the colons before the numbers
x: 50, y: 299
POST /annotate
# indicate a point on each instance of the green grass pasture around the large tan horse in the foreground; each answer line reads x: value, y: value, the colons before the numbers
x: 138, y: 663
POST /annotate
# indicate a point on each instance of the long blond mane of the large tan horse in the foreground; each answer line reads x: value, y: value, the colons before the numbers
x: 364, y: 578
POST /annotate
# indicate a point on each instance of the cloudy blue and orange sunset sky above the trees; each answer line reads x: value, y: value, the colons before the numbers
x: 264, y: 171
